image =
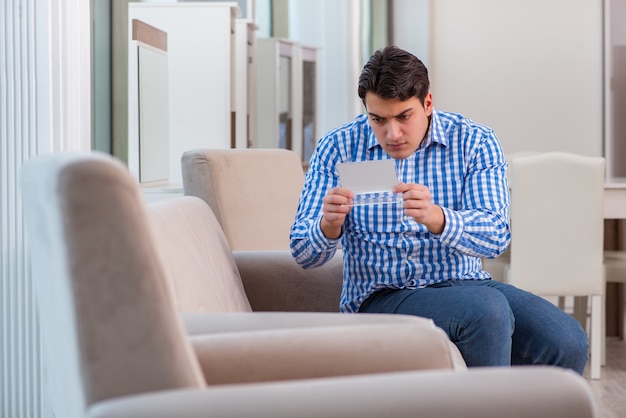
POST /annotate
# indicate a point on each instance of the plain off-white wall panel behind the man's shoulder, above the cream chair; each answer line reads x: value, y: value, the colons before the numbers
x: 530, y: 69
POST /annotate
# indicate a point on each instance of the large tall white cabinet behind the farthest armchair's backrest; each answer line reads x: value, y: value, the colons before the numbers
x: 201, y: 59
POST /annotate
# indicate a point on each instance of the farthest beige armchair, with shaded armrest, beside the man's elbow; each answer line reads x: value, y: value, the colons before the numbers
x: 254, y: 195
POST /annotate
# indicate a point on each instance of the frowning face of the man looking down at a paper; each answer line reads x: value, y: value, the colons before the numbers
x: 399, y: 126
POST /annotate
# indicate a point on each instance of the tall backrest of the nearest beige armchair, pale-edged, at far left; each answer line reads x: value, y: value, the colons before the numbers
x: 98, y: 281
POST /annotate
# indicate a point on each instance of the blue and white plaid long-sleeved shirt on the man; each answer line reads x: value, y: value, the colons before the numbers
x: 463, y: 166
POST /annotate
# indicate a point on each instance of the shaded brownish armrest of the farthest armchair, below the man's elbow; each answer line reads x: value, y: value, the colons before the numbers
x: 273, y: 281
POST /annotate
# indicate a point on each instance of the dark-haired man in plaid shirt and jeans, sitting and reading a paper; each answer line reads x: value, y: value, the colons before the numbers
x: 422, y: 256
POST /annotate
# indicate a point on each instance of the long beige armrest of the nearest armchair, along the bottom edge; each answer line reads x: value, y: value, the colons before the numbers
x: 518, y: 392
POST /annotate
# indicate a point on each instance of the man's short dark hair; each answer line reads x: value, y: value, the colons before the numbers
x: 393, y: 73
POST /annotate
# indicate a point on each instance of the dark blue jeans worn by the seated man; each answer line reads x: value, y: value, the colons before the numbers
x: 492, y: 323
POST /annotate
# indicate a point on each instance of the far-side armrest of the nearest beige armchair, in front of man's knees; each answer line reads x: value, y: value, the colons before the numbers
x: 312, y: 352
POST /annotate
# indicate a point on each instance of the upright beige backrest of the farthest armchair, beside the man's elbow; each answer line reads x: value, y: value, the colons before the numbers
x: 234, y: 181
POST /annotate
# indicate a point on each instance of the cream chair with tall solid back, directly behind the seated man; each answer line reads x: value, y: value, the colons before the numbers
x: 557, y: 227
